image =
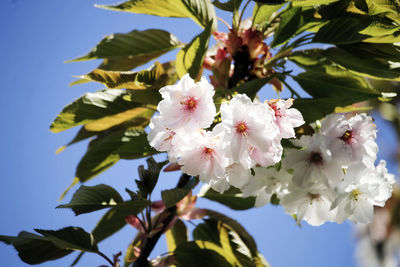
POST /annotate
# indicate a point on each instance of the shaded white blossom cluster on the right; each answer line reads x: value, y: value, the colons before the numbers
x: 333, y: 174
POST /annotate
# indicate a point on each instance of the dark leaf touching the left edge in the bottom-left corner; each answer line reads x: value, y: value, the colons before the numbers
x: 34, y: 249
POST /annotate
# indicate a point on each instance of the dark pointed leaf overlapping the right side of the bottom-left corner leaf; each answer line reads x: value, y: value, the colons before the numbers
x: 74, y: 238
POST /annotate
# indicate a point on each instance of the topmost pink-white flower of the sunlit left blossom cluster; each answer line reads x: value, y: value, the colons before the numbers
x: 188, y: 105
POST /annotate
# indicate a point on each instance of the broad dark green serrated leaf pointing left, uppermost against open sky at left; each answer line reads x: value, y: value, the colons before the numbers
x: 140, y: 46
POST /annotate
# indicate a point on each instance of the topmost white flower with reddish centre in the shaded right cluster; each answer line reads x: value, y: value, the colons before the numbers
x: 351, y: 140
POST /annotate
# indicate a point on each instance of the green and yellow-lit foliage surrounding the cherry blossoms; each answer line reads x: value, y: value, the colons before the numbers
x: 359, y: 39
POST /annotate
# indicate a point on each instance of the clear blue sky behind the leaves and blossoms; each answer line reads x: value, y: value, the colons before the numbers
x: 36, y: 37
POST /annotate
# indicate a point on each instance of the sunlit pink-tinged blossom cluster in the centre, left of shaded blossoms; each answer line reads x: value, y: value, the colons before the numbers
x: 221, y: 149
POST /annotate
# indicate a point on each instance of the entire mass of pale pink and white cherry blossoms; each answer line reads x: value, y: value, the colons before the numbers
x: 329, y: 176
